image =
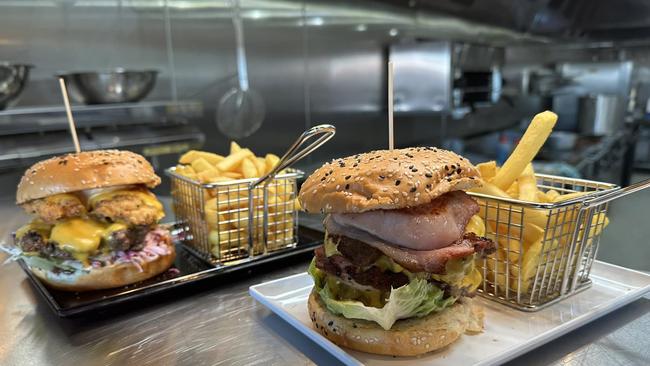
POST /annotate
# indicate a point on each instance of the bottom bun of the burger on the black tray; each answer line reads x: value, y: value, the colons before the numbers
x: 116, y: 275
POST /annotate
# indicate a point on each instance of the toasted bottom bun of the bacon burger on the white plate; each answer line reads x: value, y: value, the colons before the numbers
x: 407, y: 337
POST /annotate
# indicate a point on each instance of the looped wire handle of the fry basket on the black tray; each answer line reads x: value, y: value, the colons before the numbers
x: 293, y: 155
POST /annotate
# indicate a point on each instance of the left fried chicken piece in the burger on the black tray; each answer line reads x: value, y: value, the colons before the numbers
x: 54, y: 208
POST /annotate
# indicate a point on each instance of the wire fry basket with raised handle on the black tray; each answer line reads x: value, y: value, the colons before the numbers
x: 261, y: 213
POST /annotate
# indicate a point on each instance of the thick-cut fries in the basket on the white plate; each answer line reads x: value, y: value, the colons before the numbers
x: 528, y: 238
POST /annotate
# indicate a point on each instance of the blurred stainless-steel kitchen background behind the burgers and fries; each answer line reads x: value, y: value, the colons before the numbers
x: 468, y: 75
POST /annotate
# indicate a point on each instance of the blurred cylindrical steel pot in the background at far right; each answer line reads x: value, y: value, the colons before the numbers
x: 598, y: 114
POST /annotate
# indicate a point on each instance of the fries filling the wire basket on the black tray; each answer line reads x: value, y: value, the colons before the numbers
x: 226, y: 210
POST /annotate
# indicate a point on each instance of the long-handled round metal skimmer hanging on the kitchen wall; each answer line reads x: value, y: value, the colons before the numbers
x: 241, y: 110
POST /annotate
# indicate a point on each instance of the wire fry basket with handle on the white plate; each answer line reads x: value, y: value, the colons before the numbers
x: 544, y: 250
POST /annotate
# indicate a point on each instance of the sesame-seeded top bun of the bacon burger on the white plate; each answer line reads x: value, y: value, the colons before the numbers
x: 386, y: 179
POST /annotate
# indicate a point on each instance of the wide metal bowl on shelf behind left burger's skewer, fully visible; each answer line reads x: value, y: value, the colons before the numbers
x: 117, y: 86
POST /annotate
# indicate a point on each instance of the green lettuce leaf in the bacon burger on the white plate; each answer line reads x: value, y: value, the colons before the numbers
x: 418, y: 298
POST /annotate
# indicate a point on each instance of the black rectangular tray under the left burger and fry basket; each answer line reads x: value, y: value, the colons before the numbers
x: 188, y: 269
